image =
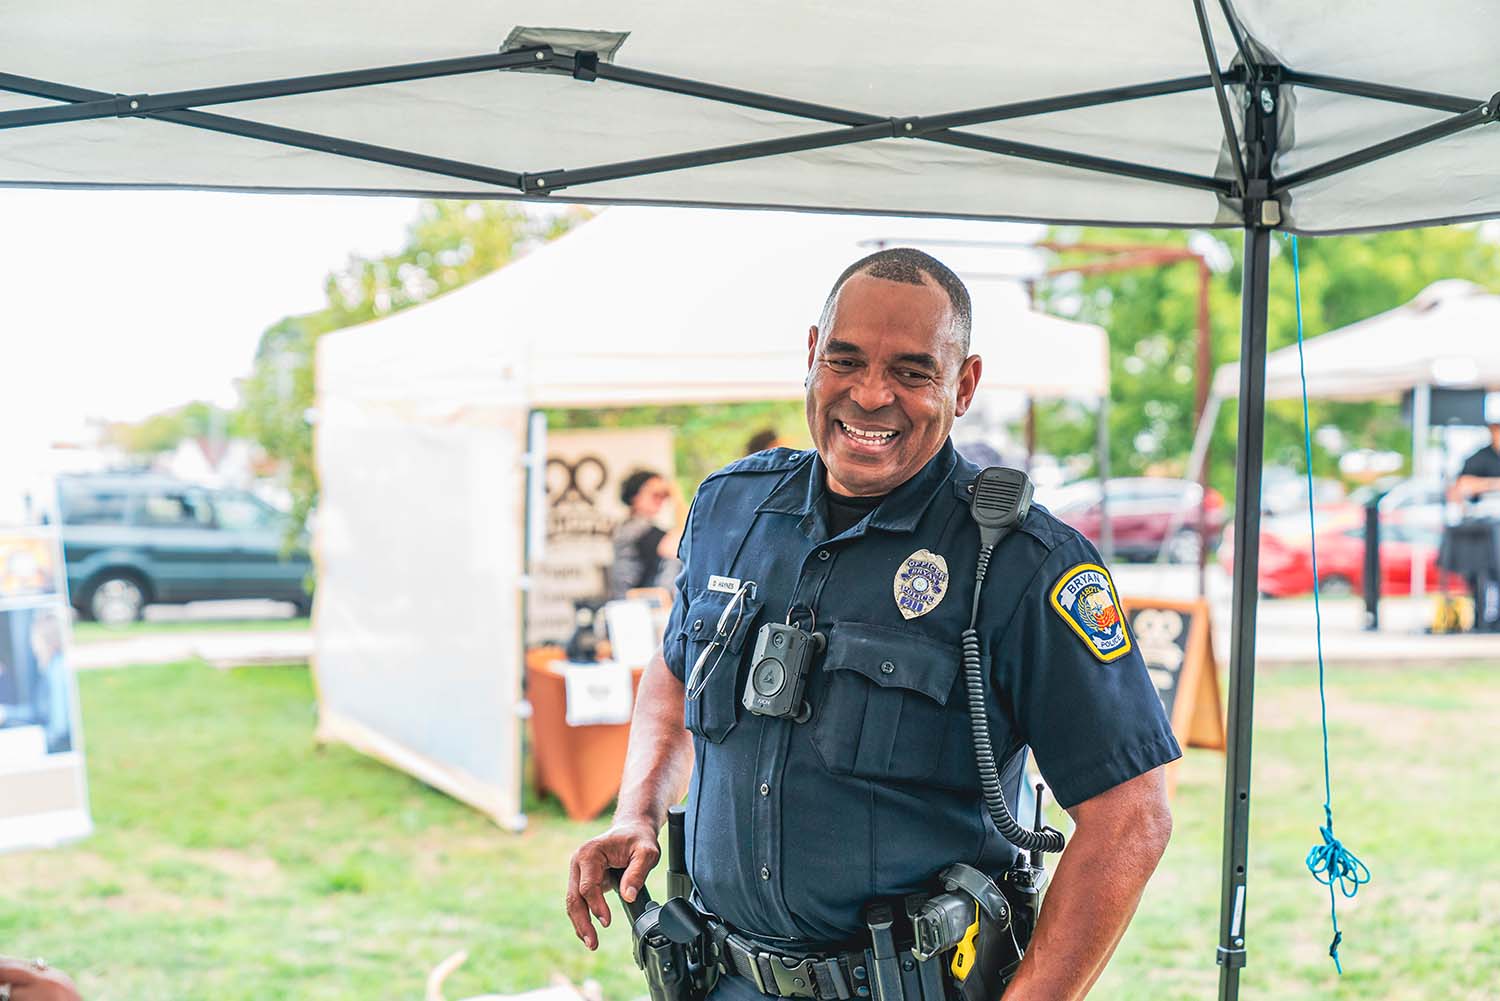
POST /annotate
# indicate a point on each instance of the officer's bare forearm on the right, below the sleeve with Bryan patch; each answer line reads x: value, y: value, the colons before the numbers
x: 1115, y: 849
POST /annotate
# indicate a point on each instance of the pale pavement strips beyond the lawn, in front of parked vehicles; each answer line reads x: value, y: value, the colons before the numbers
x: 1285, y: 633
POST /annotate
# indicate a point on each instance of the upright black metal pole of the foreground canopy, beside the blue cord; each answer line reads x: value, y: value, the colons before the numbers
x: 1262, y: 215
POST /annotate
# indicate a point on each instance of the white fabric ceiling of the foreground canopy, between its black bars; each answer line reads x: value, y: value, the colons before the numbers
x: 878, y: 59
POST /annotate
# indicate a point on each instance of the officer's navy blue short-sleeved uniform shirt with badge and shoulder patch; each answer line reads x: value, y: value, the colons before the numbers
x: 793, y: 828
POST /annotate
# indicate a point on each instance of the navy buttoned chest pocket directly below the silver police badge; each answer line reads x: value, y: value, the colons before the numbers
x: 884, y: 712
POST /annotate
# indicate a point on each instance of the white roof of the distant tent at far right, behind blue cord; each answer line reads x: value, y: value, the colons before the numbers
x: 1450, y: 335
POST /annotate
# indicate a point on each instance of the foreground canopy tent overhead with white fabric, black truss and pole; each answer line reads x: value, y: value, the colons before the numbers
x: 1261, y: 115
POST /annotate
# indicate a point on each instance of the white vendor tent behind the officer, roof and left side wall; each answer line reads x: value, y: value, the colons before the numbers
x: 424, y: 421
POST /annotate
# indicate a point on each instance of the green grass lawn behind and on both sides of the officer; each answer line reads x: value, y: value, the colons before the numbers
x: 233, y: 859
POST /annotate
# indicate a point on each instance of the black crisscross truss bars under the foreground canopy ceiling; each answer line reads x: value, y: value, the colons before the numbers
x: 1259, y: 85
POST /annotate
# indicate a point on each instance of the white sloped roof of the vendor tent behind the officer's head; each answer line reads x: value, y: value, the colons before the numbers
x: 728, y: 298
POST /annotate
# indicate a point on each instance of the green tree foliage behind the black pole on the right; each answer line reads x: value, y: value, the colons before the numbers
x: 1151, y: 317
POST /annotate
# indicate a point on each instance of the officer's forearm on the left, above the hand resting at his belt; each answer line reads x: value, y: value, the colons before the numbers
x: 659, y: 760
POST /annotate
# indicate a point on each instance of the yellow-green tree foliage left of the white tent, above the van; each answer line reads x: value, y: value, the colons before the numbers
x: 449, y: 245
